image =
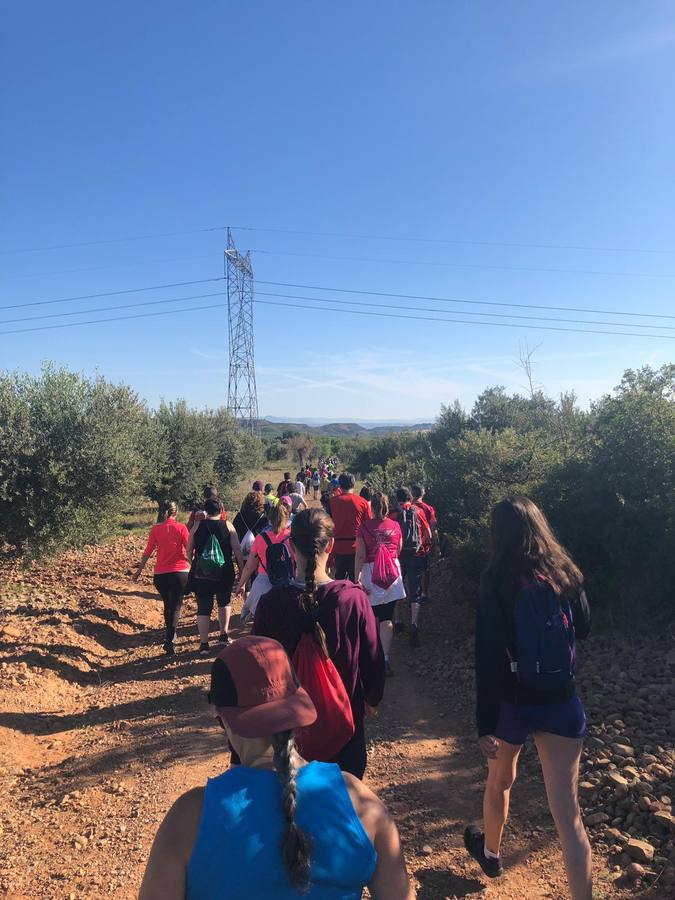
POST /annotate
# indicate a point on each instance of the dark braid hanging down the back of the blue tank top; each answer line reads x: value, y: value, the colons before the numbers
x: 296, y: 847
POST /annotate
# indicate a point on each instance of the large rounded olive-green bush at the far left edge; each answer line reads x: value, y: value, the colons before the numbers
x: 70, y: 457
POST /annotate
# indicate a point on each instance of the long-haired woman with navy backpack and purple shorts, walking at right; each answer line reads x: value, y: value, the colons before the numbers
x: 532, y: 607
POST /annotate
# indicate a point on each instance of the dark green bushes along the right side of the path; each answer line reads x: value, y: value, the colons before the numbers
x: 605, y: 478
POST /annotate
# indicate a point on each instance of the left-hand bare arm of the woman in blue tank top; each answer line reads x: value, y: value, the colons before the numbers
x: 166, y: 871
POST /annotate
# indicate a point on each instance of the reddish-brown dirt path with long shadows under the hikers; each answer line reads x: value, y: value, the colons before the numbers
x: 99, y: 733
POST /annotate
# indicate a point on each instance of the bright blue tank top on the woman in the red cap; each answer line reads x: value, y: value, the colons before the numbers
x: 237, y: 853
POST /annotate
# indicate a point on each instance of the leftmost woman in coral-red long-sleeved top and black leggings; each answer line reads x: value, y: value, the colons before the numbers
x: 170, y: 539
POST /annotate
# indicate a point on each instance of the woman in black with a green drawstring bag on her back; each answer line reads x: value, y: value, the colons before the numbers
x: 212, y: 544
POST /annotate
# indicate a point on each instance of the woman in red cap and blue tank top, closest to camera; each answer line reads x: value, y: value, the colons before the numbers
x: 274, y: 826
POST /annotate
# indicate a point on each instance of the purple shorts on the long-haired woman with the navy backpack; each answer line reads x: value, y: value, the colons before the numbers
x: 566, y: 719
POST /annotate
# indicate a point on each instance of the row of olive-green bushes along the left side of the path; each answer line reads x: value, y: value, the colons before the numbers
x: 75, y: 453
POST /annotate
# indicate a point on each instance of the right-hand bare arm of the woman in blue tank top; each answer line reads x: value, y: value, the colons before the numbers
x: 390, y: 880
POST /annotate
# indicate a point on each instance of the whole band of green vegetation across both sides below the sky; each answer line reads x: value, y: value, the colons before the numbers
x: 76, y: 454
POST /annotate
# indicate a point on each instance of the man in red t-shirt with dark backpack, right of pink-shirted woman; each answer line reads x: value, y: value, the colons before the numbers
x: 413, y: 559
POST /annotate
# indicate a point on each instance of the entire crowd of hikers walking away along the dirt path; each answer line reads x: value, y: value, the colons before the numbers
x: 326, y: 583
